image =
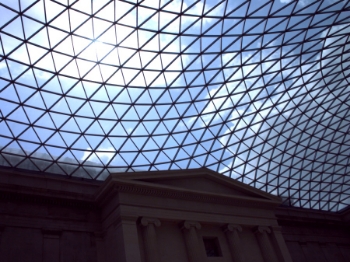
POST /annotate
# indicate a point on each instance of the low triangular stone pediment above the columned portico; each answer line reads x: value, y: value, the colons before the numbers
x: 196, y: 180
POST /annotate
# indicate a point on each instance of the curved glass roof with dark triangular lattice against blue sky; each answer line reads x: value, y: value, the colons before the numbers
x: 256, y: 90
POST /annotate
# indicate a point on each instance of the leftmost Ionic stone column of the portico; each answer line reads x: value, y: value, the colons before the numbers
x: 150, y: 238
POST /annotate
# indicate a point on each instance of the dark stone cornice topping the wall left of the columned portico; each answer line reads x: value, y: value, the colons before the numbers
x: 30, y: 187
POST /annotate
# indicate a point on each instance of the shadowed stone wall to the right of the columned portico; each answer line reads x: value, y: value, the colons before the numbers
x: 315, y: 236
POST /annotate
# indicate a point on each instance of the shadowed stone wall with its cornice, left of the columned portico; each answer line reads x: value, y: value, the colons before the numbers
x: 47, y: 219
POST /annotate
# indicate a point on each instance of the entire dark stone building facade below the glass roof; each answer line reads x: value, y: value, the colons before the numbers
x: 52, y: 218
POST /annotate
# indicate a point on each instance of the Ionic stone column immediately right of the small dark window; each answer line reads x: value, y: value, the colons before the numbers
x: 232, y: 236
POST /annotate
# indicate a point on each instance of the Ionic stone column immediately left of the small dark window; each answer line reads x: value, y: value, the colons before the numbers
x: 189, y: 229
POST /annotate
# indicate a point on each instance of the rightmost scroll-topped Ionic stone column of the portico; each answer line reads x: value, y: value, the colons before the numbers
x: 265, y: 245
